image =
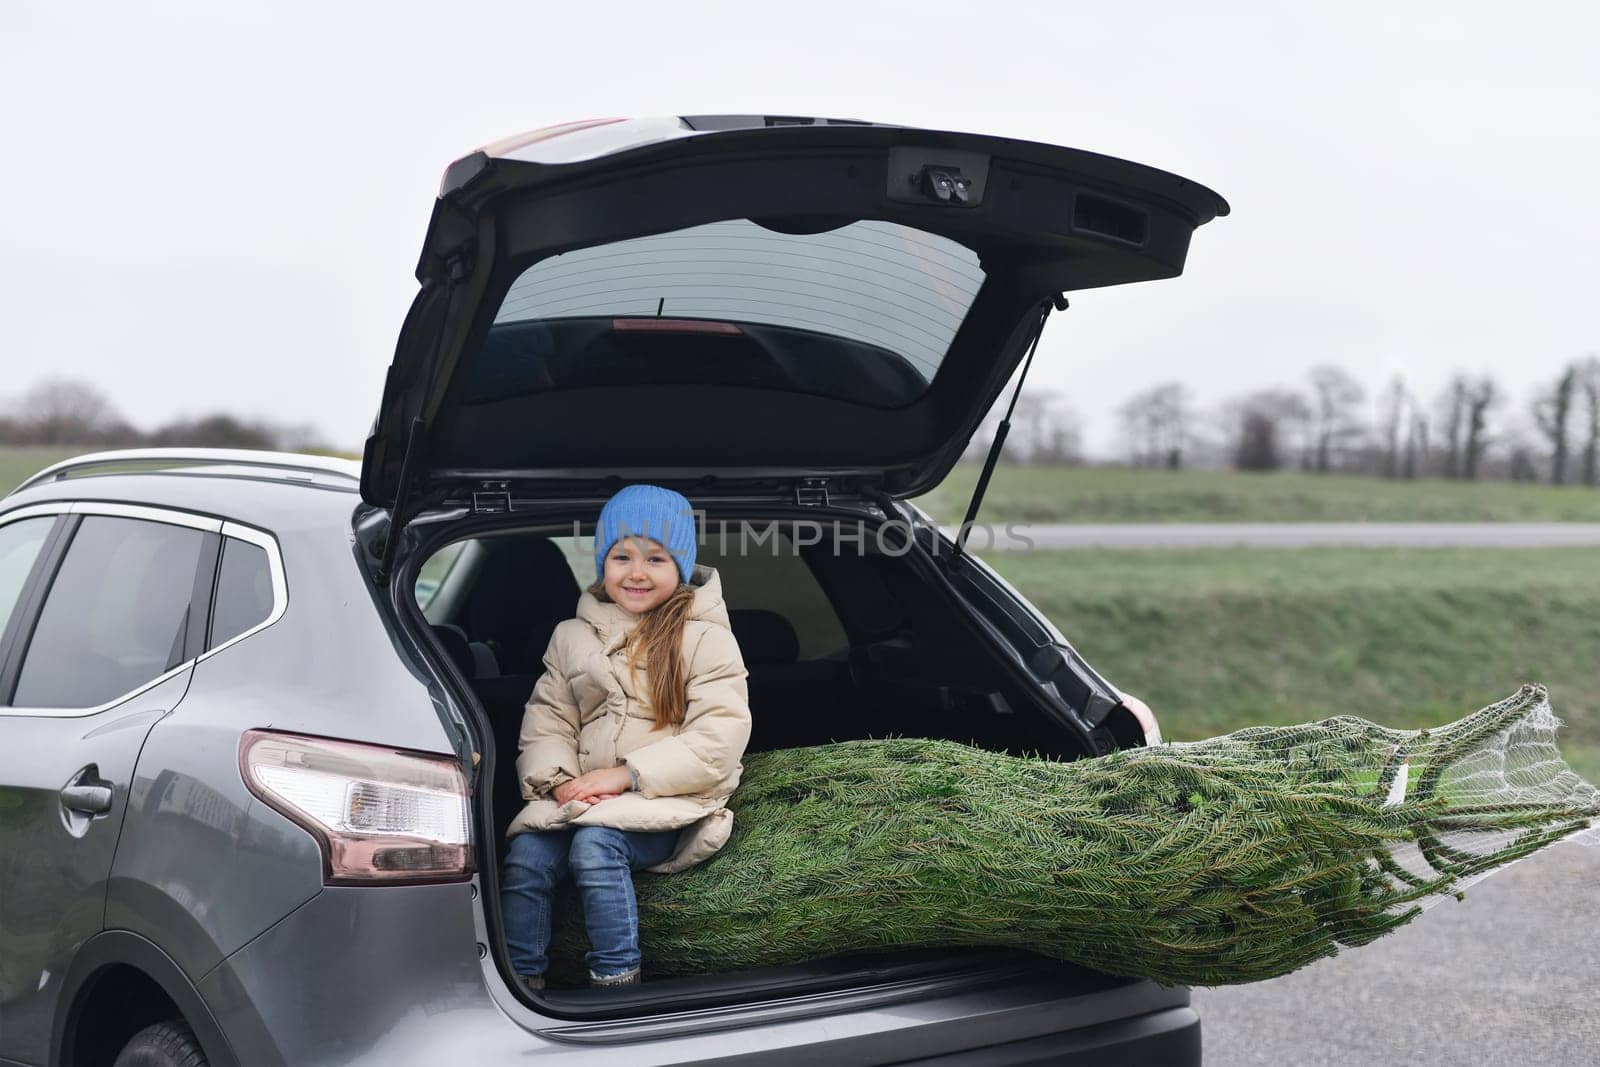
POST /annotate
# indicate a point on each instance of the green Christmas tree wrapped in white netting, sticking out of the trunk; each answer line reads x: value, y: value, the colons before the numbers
x: 1207, y: 863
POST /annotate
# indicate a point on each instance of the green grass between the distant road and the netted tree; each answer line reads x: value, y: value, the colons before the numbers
x: 1217, y: 641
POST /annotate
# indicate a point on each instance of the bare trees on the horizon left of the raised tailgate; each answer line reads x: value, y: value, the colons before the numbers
x: 65, y: 412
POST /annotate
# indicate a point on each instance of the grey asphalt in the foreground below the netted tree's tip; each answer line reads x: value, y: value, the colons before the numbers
x: 1506, y: 977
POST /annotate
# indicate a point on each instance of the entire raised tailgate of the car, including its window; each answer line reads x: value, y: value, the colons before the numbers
x: 740, y: 300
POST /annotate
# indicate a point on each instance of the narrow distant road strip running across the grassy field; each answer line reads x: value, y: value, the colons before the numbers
x: 1282, y: 535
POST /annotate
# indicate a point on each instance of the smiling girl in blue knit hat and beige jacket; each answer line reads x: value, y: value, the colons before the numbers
x: 631, y: 741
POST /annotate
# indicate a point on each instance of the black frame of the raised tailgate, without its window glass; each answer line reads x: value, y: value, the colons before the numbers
x: 1026, y: 223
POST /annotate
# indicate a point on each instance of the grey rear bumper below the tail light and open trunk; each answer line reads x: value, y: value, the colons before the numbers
x: 393, y: 977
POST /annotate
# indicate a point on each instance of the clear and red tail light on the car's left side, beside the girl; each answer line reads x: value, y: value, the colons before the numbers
x: 383, y: 817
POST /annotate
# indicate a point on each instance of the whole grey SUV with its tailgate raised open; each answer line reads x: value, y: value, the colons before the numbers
x: 258, y: 713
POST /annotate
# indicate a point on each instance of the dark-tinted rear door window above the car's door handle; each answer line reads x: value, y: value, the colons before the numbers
x: 116, y: 615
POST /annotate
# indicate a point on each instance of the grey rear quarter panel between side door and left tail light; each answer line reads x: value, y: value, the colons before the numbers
x: 327, y: 668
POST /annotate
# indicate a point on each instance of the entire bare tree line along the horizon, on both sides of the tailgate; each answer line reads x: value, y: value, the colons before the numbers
x: 1462, y: 433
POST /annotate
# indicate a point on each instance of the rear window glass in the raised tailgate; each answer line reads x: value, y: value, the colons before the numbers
x: 863, y: 313
